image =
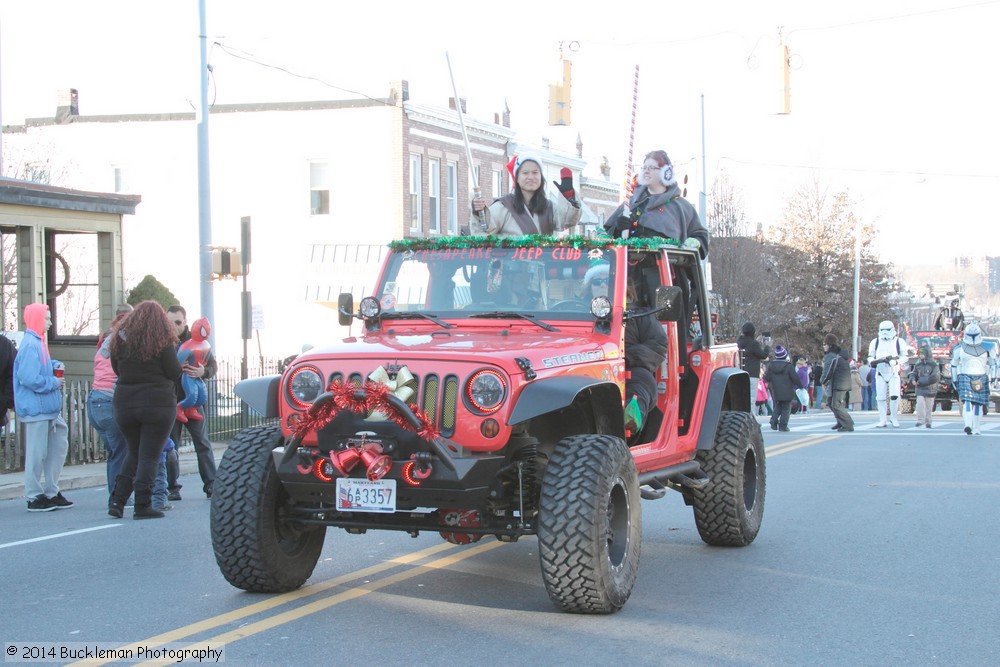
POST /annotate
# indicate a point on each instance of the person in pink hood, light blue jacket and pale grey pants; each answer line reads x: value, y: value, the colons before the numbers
x: 38, y: 399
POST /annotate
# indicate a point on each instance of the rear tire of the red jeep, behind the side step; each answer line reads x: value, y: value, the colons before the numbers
x: 729, y: 509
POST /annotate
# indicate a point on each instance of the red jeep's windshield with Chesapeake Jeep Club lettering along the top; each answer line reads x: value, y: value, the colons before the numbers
x: 554, y: 282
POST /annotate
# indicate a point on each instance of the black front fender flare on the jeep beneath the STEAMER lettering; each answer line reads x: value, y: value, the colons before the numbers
x: 545, y: 396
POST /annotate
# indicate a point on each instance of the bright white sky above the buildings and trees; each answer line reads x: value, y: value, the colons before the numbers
x: 894, y: 102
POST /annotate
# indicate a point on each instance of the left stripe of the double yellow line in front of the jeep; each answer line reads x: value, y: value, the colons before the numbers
x: 278, y: 600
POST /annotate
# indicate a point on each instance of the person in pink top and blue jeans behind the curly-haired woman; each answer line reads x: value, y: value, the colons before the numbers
x: 100, y: 401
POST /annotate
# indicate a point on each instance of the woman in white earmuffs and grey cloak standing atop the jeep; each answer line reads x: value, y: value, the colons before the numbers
x: 657, y: 208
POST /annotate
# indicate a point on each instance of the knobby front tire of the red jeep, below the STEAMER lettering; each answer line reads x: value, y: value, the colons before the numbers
x: 590, y: 524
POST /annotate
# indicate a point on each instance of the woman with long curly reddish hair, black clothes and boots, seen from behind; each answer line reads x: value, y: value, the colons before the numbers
x: 144, y: 356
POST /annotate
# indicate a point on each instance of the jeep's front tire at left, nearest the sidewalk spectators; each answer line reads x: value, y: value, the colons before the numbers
x: 255, y: 547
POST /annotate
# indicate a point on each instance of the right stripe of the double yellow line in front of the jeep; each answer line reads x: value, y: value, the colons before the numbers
x: 325, y: 603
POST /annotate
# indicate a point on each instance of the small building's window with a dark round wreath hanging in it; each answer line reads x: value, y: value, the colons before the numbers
x: 71, y: 283
